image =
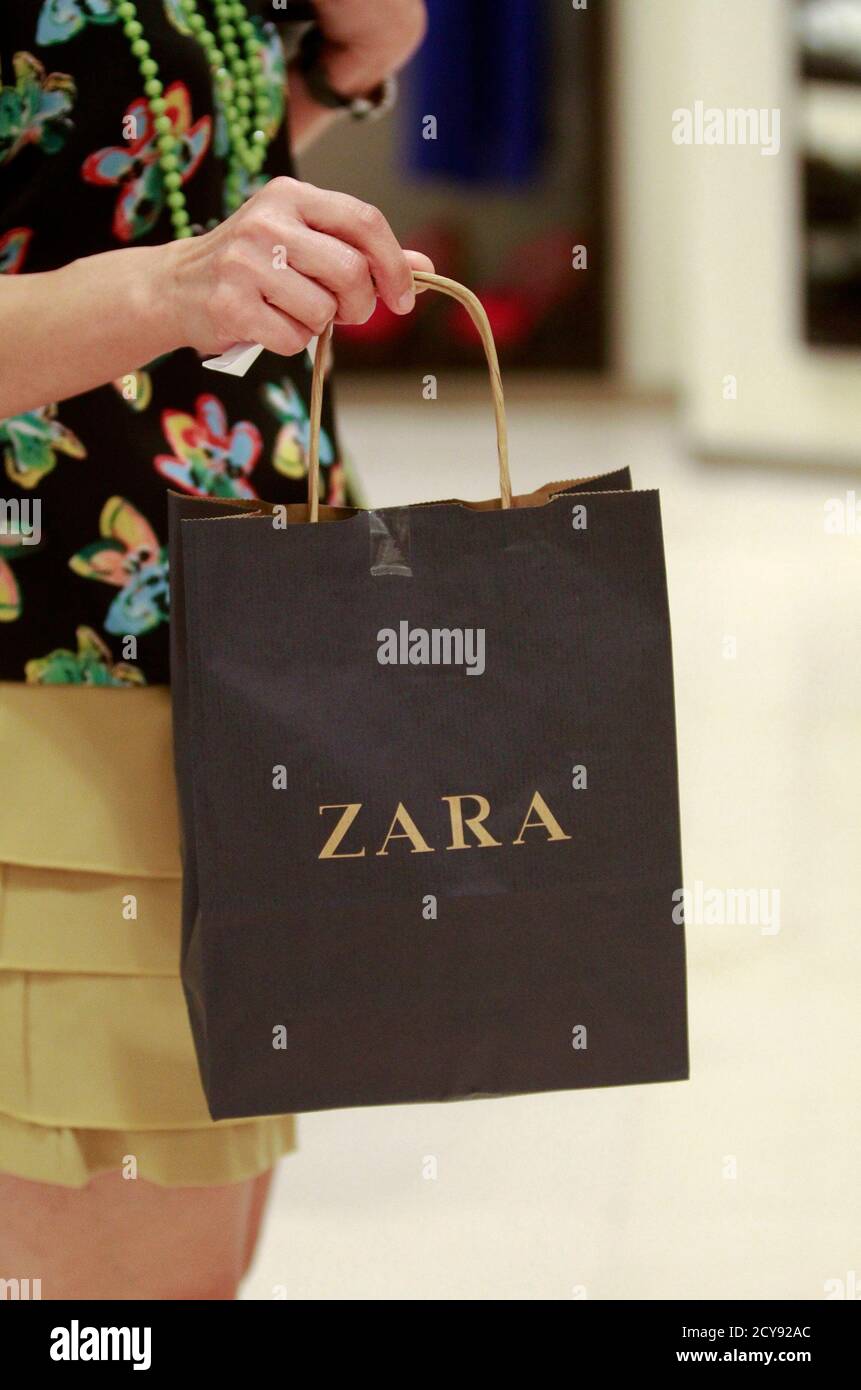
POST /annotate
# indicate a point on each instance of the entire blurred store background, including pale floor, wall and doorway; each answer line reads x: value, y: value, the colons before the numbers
x: 710, y: 340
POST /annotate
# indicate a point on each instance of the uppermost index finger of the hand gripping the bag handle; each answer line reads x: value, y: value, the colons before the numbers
x: 364, y: 229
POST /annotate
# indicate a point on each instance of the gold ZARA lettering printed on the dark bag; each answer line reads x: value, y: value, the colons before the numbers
x: 539, y: 817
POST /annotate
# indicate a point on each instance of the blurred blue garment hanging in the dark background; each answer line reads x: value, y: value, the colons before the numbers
x: 483, y: 74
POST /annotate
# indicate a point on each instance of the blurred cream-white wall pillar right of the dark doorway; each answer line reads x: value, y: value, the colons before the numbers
x: 707, y: 273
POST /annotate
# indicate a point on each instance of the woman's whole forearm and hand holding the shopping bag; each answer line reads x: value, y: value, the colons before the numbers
x: 276, y: 273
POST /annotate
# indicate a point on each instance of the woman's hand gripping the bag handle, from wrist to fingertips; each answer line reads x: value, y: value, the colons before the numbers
x: 284, y: 266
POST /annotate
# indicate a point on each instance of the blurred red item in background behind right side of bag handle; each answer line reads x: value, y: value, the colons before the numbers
x: 536, y: 279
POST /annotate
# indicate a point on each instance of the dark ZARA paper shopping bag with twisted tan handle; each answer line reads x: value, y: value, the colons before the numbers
x: 428, y: 776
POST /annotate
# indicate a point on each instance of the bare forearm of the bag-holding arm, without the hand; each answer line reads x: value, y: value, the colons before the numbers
x: 72, y: 330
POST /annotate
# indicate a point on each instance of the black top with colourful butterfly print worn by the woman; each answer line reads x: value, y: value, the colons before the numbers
x: 86, y: 580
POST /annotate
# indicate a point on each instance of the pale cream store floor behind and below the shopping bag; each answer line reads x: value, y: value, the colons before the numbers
x: 629, y: 1193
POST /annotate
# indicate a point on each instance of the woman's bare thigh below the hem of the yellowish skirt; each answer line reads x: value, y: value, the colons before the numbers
x: 130, y: 1239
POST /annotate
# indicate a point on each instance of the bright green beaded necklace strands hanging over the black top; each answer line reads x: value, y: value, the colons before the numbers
x: 239, y: 81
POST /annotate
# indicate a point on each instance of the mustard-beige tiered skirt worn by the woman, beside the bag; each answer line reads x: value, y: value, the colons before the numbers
x: 98, y: 1070
